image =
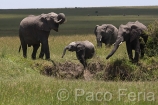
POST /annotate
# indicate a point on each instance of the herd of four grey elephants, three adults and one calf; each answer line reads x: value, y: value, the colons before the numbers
x: 35, y: 30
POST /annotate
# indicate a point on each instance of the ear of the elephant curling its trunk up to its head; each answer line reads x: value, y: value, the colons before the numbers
x: 43, y: 22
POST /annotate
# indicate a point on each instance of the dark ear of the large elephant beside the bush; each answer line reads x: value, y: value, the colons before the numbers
x: 134, y: 34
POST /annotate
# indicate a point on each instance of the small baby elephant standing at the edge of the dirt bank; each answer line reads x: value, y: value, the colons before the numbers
x: 84, y: 50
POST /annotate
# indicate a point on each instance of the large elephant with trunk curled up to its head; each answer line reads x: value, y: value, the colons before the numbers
x: 36, y: 29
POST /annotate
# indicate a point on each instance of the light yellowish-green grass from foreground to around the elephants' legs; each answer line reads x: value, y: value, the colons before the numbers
x: 21, y: 82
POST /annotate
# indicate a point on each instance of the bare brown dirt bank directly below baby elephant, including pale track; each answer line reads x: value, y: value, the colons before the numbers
x: 72, y: 70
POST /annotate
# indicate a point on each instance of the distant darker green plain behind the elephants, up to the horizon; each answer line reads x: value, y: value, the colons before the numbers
x: 78, y: 21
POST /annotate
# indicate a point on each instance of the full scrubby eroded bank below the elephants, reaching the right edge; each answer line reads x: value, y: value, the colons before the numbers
x: 116, y: 70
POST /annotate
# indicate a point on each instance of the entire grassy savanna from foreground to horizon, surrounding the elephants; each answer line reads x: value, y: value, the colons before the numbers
x: 116, y: 81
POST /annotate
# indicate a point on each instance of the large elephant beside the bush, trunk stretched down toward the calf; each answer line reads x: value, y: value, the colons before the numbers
x: 131, y: 33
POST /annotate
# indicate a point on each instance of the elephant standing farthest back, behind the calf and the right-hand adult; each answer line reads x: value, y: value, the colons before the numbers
x: 106, y: 33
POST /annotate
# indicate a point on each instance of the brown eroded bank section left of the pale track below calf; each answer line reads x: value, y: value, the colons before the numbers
x: 67, y: 70
